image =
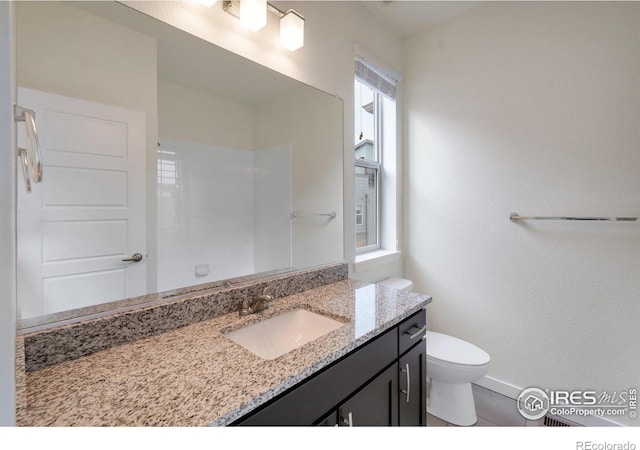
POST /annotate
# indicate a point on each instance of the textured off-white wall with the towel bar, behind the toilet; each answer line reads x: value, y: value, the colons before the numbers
x: 530, y: 107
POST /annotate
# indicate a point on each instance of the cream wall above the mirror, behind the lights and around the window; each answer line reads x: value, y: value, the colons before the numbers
x: 326, y: 62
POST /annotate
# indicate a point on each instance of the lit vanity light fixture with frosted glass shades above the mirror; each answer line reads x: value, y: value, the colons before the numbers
x: 291, y: 22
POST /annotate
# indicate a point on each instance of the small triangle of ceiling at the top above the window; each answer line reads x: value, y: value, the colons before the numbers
x: 408, y: 17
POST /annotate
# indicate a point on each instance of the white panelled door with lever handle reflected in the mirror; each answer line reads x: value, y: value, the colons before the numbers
x: 88, y: 213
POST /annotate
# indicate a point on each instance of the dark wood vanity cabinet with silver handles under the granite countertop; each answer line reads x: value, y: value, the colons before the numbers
x: 367, y: 387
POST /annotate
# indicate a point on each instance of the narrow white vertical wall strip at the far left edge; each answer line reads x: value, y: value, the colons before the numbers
x: 7, y: 217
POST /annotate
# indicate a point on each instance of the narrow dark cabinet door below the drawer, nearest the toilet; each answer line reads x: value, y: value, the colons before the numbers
x: 412, y: 368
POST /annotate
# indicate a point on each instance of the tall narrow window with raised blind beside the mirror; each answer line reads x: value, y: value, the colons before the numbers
x: 374, y: 145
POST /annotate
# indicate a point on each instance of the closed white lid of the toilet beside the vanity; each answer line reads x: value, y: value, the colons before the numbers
x: 452, y: 350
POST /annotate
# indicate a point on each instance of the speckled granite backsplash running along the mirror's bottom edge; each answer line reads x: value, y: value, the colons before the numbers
x: 68, y: 341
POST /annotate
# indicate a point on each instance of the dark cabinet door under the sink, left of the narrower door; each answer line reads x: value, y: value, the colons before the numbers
x: 374, y: 405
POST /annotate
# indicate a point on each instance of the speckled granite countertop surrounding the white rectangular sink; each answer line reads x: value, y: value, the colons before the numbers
x: 195, y: 376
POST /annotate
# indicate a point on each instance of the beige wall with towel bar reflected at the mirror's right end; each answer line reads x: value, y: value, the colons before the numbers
x: 310, y: 122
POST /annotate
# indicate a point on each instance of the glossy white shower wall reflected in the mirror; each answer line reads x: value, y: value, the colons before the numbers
x: 220, y: 212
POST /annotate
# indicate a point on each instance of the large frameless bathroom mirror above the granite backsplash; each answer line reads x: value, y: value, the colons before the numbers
x: 169, y: 164
